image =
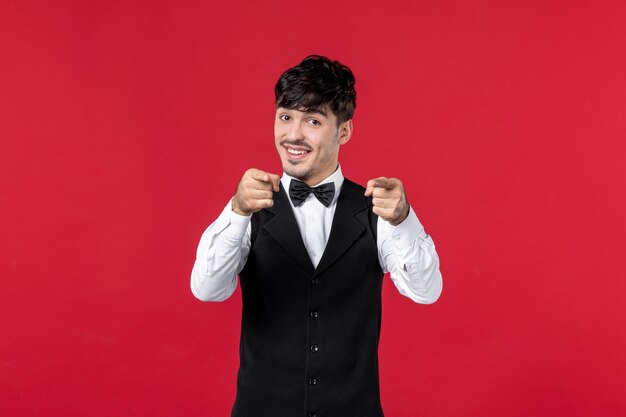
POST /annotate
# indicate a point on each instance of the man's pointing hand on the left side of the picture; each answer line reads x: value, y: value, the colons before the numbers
x: 255, y: 192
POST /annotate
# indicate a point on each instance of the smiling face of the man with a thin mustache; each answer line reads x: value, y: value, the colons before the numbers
x: 308, y: 142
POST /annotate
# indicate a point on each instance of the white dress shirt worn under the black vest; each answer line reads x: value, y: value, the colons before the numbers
x: 405, y: 250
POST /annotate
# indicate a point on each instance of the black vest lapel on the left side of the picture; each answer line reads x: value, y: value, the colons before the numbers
x: 284, y: 229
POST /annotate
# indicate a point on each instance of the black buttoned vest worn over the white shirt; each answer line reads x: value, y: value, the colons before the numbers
x: 309, y: 336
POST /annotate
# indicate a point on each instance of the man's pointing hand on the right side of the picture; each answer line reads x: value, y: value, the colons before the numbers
x: 388, y: 199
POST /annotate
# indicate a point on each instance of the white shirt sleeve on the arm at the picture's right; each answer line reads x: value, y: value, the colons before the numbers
x: 408, y: 254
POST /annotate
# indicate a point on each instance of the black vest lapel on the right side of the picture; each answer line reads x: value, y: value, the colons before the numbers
x: 345, y: 229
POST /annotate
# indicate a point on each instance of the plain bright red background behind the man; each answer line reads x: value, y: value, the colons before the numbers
x: 125, y: 126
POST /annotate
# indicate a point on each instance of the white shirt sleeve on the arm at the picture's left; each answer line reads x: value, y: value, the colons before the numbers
x: 221, y: 255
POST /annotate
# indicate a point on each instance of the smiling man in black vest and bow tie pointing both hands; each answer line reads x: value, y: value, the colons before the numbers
x: 311, y: 248
